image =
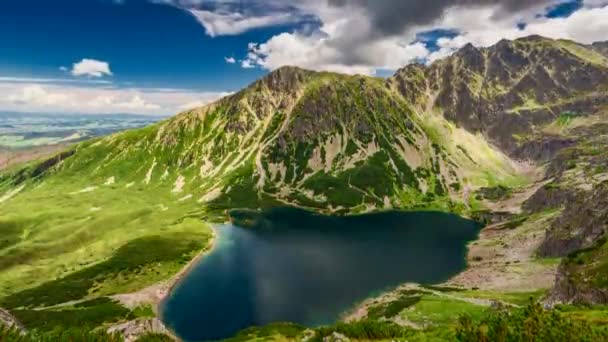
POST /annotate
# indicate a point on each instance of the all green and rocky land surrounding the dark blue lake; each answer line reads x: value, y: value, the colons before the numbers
x: 514, y: 136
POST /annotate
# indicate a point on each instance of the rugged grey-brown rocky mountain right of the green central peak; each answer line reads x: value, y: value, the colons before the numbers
x: 506, y: 90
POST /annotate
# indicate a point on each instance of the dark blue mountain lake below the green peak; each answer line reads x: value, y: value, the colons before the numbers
x: 291, y: 265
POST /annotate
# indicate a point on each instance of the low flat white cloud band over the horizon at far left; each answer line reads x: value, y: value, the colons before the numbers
x: 69, y: 98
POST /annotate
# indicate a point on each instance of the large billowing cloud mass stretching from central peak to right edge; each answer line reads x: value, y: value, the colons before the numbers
x: 382, y: 34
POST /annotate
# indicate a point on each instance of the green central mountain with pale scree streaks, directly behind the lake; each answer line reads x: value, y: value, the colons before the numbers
x: 318, y: 140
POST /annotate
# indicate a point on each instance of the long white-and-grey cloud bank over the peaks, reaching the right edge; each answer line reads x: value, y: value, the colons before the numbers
x: 350, y: 43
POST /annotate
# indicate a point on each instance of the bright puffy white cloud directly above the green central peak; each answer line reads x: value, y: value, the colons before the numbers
x: 342, y: 44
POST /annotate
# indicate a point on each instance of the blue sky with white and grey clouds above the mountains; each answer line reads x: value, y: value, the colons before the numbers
x: 166, y: 56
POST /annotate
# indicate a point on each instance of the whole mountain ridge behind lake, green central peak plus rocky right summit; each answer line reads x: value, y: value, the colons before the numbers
x: 353, y: 143
